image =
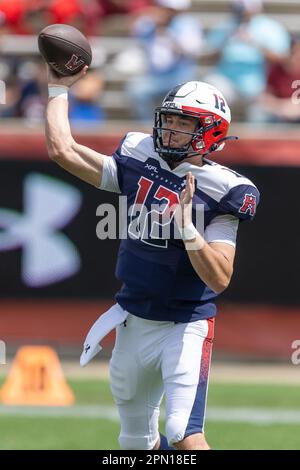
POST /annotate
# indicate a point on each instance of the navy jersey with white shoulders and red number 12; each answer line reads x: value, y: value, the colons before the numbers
x: 159, y: 281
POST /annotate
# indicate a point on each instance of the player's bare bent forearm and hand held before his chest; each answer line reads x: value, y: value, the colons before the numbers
x: 213, y: 262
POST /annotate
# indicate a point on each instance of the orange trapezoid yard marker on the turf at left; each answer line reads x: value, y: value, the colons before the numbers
x: 36, y: 378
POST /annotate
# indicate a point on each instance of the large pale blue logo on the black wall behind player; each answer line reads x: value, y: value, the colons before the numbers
x: 48, y: 255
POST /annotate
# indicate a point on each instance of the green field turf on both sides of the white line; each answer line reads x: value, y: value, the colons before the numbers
x: 58, y: 432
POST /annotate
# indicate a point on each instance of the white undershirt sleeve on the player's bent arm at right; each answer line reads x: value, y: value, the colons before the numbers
x: 222, y: 229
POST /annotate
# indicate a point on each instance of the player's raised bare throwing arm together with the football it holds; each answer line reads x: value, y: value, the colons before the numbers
x: 63, y: 64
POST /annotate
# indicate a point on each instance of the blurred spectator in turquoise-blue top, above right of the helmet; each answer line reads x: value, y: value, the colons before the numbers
x: 243, y: 47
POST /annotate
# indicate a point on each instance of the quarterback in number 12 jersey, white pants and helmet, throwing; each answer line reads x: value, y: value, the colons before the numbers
x: 166, y: 305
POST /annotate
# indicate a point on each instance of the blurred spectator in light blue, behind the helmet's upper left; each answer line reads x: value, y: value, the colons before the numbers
x: 171, y: 42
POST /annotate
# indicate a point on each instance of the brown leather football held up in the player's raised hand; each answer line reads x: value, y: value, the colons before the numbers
x: 65, y: 49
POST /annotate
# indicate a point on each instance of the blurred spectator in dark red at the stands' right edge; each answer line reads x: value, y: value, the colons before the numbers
x: 281, y: 100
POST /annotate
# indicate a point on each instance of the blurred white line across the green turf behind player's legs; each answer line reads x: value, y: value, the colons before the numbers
x: 232, y: 415
